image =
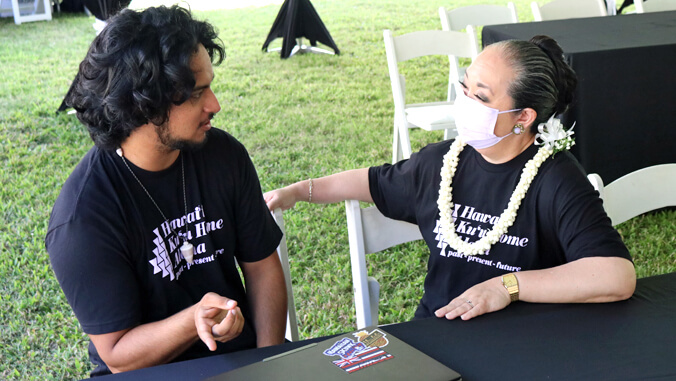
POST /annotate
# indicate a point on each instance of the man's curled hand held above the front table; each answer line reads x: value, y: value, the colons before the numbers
x: 217, y: 319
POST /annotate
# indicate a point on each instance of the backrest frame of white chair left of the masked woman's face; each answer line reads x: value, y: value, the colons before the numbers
x: 426, y: 43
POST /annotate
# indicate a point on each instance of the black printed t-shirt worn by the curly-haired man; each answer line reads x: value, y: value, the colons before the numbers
x: 117, y: 259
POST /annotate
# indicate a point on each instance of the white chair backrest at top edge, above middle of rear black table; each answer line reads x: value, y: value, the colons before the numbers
x: 568, y: 9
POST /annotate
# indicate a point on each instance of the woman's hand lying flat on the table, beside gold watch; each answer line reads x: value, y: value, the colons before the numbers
x: 485, y: 297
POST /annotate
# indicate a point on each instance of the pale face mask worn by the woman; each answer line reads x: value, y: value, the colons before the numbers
x: 476, y: 122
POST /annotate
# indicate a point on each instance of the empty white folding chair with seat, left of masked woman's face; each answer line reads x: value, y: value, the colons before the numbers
x: 428, y: 116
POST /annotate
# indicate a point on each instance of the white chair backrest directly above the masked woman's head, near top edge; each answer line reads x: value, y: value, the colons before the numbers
x: 477, y: 15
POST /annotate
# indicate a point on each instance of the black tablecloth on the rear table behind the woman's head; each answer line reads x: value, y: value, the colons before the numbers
x: 626, y: 67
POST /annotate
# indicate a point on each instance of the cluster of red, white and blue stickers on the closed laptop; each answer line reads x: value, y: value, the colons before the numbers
x: 362, y: 353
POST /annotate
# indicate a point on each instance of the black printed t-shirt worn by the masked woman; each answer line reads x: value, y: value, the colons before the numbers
x: 561, y: 219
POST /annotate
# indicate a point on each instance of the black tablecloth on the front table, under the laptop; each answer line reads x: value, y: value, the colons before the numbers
x: 628, y: 340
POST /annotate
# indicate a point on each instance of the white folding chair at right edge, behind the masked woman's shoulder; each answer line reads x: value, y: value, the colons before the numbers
x: 637, y: 192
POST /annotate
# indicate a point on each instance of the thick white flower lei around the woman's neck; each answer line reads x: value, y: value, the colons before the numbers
x: 507, y: 217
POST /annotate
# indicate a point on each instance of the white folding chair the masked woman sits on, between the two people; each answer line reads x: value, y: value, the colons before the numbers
x: 370, y: 232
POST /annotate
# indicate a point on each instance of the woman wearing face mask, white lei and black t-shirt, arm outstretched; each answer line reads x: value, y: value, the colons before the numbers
x: 504, y: 216
